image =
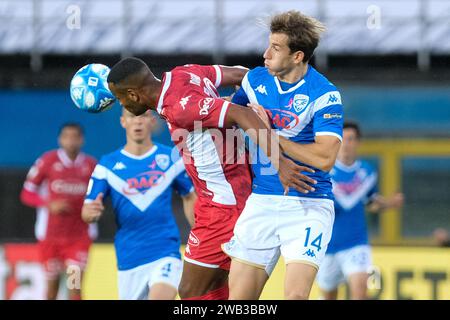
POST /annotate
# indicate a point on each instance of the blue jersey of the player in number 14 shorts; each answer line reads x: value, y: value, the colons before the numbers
x: 299, y: 112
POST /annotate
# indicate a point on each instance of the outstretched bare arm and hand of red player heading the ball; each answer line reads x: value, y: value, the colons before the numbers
x: 288, y: 171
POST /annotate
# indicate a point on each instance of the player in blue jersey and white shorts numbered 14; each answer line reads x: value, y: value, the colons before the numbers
x: 305, y: 109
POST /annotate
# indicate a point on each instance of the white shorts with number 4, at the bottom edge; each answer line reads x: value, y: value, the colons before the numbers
x: 135, y: 284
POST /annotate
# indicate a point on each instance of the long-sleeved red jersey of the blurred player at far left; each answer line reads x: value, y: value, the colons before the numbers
x: 54, y: 176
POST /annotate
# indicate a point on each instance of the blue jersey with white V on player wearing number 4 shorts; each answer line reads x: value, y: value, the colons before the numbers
x: 140, y: 188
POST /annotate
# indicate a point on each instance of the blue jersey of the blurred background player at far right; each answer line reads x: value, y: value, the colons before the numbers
x: 353, y: 188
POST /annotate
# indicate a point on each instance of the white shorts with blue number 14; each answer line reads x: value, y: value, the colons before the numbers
x: 298, y: 228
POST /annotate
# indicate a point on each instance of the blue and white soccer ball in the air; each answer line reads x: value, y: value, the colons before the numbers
x: 89, y: 88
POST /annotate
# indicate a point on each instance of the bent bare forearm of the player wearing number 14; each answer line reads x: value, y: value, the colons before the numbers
x: 321, y: 154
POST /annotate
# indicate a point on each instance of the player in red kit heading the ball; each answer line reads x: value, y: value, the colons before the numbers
x: 204, y: 127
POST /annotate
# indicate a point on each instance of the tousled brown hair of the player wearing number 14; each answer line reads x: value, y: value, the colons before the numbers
x: 303, y: 31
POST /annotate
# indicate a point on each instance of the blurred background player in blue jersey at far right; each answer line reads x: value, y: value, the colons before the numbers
x: 348, y: 257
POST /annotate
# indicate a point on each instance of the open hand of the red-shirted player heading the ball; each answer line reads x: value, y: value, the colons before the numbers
x: 291, y: 177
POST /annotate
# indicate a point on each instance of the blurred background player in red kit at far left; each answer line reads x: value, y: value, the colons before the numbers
x: 56, y: 185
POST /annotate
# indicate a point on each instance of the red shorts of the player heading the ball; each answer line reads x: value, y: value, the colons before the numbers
x: 213, y: 226
